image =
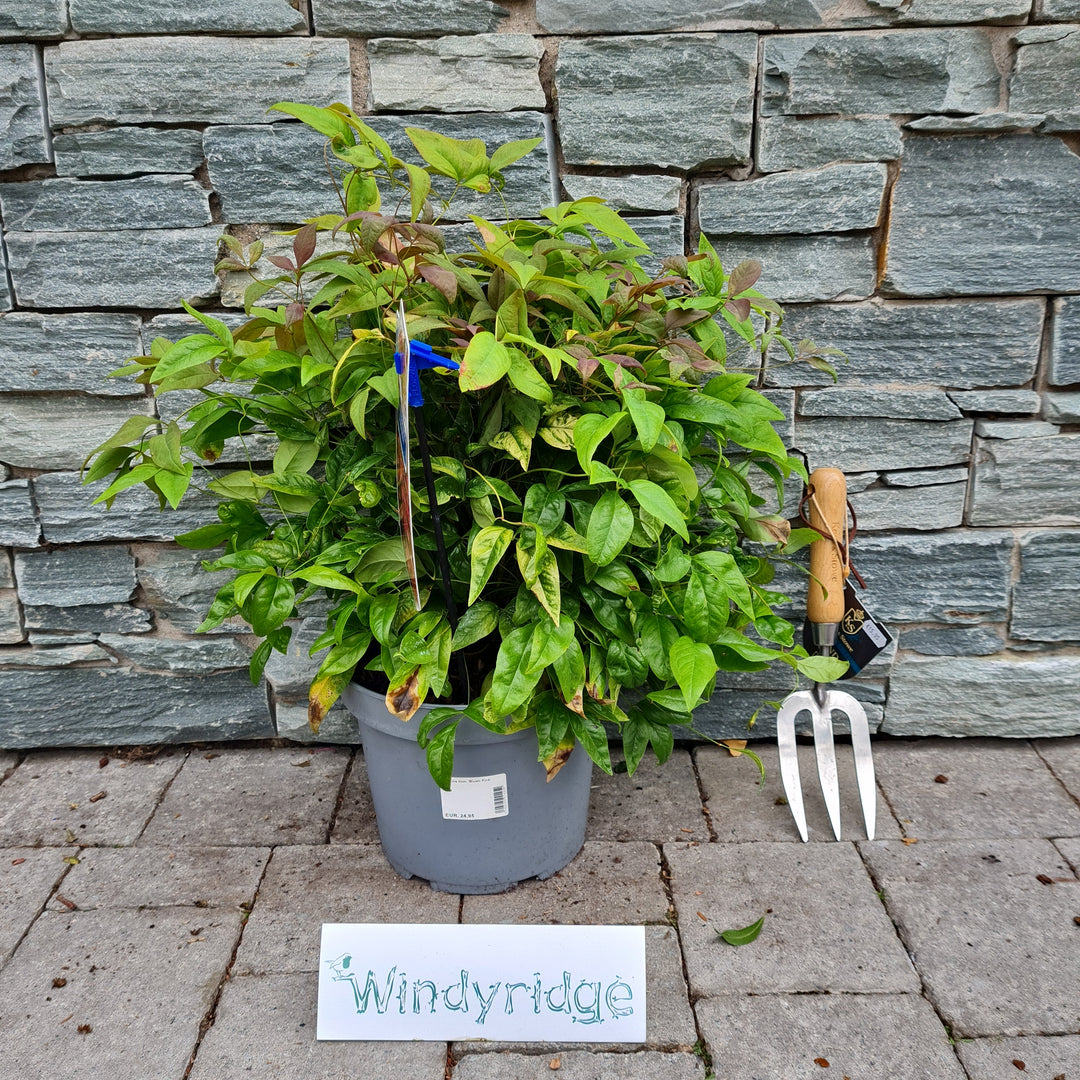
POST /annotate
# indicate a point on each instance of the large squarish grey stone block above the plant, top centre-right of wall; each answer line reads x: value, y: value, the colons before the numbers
x: 619, y: 106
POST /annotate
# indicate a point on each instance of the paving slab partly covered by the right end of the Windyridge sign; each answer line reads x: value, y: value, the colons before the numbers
x: 669, y: 1019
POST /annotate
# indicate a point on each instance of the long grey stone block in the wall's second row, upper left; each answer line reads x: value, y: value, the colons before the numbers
x: 197, y: 80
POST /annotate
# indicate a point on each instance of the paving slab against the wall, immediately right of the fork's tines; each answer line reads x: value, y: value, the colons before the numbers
x: 992, y: 788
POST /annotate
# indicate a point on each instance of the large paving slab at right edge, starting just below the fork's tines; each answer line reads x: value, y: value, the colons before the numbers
x: 995, y: 944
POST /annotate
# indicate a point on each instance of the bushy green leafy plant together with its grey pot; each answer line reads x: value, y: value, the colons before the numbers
x: 586, y: 526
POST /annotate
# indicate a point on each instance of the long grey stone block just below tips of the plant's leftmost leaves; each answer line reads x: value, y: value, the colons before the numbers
x: 69, y: 514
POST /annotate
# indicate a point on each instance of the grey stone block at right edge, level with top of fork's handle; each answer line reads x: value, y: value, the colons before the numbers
x: 1027, y: 482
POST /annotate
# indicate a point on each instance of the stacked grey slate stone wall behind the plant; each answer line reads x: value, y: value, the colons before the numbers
x: 908, y: 171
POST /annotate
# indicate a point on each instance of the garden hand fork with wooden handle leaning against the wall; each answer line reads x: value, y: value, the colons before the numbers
x: 829, y: 568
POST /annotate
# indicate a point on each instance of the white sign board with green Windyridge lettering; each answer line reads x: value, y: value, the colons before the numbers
x: 537, y: 984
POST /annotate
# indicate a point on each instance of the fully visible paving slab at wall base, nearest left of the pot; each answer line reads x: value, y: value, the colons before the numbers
x: 250, y: 796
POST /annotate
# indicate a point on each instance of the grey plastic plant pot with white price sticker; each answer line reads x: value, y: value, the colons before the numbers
x: 530, y: 829
